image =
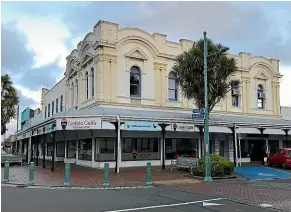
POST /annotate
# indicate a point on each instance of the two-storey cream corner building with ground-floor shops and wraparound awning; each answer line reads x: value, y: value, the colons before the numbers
x: 120, y: 103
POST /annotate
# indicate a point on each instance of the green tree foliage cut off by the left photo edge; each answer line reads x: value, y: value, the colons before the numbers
x: 9, y: 101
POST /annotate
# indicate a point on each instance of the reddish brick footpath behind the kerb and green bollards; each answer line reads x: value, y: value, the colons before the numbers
x: 82, y: 176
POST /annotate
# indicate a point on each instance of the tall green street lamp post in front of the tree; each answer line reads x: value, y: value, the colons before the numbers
x: 207, y: 177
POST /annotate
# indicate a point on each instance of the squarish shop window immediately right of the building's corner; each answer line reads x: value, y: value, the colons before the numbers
x: 104, y: 149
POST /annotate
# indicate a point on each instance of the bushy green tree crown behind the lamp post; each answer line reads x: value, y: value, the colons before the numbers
x: 189, y: 68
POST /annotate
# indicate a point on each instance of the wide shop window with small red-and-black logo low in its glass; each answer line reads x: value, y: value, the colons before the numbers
x: 140, y: 149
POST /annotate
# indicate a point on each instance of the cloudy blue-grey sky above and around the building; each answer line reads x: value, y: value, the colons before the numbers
x: 37, y: 36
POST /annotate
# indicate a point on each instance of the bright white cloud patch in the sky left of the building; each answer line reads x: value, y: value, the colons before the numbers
x: 46, y: 38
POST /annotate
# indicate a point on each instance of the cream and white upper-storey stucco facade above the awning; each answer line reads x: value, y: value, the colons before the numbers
x: 111, y: 52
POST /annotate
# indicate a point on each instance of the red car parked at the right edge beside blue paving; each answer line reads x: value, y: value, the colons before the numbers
x: 281, y: 158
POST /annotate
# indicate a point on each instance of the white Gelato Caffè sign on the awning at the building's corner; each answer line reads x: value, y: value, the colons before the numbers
x: 78, y: 123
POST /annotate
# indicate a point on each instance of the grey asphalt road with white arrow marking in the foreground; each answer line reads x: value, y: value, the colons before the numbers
x: 147, y: 199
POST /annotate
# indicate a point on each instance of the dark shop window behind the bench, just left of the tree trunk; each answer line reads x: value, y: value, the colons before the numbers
x: 176, y: 147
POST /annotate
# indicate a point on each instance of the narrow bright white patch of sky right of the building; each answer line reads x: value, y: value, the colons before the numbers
x: 285, y: 86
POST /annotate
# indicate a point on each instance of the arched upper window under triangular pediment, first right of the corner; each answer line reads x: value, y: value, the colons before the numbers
x: 135, y: 82
